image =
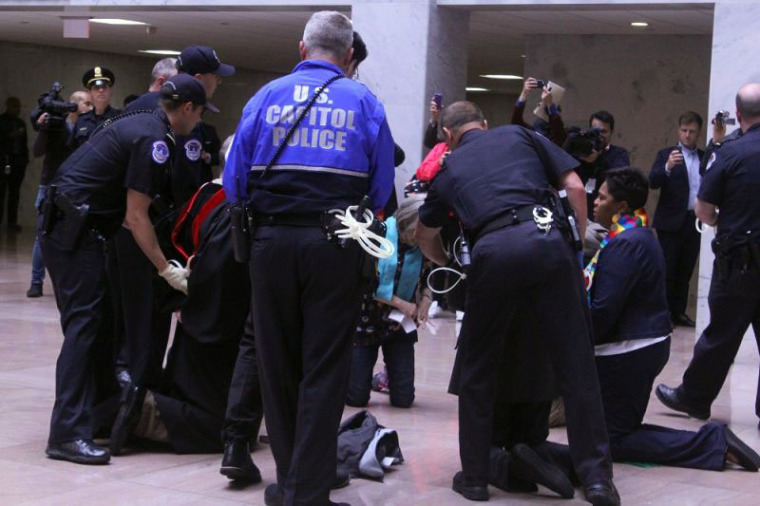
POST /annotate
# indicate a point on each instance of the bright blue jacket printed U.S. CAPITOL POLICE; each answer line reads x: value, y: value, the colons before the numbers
x: 341, y: 151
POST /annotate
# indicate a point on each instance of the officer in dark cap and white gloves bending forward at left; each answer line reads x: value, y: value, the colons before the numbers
x: 110, y: 180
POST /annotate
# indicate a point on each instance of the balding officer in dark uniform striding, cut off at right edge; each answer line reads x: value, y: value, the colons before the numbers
x: 727, y: 199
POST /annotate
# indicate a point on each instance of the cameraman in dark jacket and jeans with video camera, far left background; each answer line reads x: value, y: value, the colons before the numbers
x: 52, y: 142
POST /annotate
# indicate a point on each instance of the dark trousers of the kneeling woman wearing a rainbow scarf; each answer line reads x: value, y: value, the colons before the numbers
x: 626, y: 382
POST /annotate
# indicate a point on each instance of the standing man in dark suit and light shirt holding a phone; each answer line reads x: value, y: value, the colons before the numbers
x: 676, y: 173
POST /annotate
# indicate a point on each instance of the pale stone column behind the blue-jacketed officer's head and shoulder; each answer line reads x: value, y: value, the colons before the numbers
x: 415, y: 48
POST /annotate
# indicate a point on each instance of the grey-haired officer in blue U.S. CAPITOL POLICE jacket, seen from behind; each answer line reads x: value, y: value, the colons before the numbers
x: 307, y: 289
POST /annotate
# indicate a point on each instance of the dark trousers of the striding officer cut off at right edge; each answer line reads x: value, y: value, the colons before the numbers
x: 734, y: 302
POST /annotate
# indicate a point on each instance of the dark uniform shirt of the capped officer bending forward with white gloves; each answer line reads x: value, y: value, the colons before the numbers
x: 132, y: 153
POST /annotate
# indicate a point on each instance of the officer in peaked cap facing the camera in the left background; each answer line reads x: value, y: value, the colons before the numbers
x: 100, y: 81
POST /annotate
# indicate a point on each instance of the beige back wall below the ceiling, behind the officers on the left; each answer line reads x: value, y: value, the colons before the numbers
x: 31, y: 69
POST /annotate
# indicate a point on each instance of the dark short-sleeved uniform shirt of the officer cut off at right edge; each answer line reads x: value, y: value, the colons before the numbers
x: 732, y: 182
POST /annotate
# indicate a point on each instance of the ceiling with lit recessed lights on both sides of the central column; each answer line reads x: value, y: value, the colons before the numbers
x: 267, y: 40
